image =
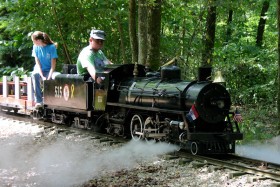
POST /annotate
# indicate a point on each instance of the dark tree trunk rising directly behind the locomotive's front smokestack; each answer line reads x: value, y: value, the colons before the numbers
x: 209, y: 39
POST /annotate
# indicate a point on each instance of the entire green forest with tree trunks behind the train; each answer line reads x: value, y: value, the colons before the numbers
x: 238, y: 38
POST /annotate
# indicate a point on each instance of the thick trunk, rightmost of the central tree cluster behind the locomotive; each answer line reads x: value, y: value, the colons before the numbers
x: 153, y: 37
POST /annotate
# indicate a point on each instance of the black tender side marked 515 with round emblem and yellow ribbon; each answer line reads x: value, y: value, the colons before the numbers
x: 69, y: 91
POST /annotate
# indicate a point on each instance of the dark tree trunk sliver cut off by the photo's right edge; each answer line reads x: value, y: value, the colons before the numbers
x: 278, y: 95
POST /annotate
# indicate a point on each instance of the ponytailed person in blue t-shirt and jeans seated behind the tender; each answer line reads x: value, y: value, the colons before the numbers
x: 45, y: 54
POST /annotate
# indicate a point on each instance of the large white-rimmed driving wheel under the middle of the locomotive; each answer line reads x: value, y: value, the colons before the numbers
x: 136, y: 127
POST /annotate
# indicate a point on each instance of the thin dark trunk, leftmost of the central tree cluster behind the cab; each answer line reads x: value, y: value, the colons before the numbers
x: 132, y: 30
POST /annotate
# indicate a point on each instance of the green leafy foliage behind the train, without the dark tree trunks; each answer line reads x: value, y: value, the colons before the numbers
x: 250, y: 71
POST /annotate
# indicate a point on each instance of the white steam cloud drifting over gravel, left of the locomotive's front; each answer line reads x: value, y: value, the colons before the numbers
x: 25, y: 161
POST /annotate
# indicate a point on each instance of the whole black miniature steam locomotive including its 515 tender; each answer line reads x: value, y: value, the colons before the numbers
x: 130, y: 102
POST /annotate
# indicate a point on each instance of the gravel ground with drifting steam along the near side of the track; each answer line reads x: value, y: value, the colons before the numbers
x: 41, y: 154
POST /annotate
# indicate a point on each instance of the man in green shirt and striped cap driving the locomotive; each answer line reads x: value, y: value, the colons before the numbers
x: 91, y: 59
